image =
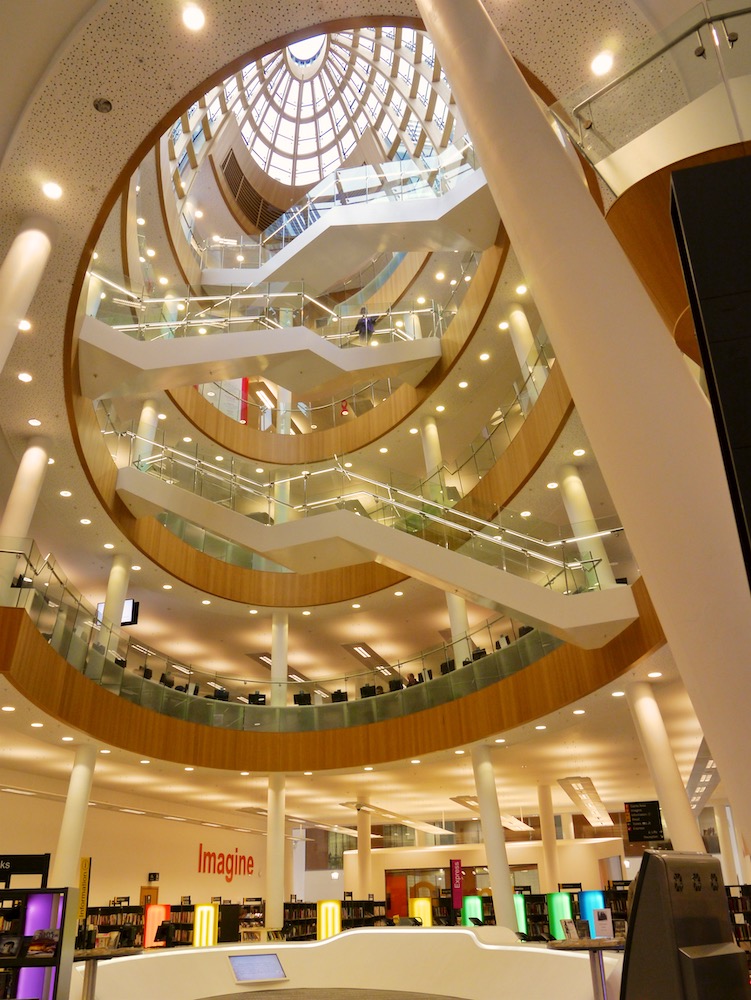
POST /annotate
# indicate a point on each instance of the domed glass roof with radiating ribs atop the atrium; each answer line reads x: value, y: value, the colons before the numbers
x: 302, y: 110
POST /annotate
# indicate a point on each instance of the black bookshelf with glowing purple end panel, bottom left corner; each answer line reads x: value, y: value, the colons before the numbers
x: 31, y: 928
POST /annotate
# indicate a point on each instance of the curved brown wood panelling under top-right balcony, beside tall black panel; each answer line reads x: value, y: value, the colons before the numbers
x: 640, y: 219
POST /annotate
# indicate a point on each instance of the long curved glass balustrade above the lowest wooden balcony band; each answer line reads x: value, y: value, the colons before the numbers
x: 133, y: 670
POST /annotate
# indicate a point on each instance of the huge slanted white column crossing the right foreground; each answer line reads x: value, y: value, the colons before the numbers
x: 646, y: 418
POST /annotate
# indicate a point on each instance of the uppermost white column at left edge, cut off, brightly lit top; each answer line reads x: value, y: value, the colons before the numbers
x: 20, y: 274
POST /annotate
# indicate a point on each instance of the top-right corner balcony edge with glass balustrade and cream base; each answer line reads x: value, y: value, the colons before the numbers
x: 682, y: 91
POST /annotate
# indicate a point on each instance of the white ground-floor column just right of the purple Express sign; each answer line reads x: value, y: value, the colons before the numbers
x: 495, y: 841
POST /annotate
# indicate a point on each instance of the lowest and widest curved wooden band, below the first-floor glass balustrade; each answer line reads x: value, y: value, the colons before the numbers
x: 562, y: 677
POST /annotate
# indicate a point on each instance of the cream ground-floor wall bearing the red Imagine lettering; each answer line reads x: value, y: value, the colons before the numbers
x: 124, y: 848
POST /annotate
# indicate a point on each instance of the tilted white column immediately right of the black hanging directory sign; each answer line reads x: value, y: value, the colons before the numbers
x: 650, y: 728
